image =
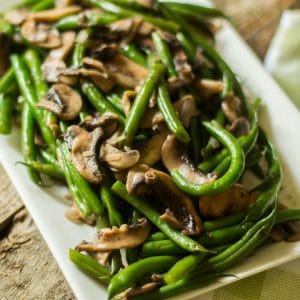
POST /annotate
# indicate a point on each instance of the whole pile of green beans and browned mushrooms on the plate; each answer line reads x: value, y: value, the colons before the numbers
x: 165, y: 88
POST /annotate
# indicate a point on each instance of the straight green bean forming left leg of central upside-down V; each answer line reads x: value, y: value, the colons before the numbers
x: 140, y: 103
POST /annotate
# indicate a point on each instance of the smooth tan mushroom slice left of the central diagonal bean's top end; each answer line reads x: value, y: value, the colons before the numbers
x: 125, y: 72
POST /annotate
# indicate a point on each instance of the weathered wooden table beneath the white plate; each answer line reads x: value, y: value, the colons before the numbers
x: 27, y: 268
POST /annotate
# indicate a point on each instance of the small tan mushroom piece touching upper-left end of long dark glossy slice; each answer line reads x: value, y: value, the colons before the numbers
x: 135, y: 183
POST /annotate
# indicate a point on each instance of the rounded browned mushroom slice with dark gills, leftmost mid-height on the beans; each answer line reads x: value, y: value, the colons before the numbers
x: 63, y: 101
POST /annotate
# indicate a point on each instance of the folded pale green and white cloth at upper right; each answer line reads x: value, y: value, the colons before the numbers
x: 283, y: 57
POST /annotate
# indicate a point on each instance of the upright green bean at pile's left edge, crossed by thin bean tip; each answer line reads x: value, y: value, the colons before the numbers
x: 28, y: 144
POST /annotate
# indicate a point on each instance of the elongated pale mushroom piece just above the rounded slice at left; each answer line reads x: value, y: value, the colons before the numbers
x: 54, y: 63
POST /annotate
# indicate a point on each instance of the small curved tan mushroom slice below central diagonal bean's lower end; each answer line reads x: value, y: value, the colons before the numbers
x: 117, y: 159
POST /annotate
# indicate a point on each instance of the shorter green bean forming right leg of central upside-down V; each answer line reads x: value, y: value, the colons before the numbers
x: 170, y: 116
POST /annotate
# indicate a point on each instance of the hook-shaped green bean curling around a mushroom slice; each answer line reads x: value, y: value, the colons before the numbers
x: 223, y: 183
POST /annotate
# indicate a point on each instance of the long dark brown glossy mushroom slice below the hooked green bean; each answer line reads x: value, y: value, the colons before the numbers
x: 180, y: 205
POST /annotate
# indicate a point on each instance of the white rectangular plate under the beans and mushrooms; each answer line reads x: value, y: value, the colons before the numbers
x: 279, y: 118
